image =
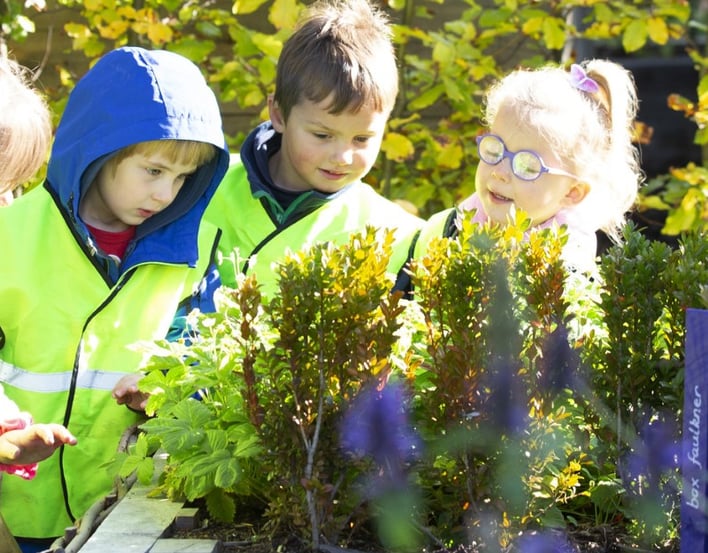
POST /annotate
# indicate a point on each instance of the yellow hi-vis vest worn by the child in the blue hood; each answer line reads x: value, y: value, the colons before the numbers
x: 69, y: 338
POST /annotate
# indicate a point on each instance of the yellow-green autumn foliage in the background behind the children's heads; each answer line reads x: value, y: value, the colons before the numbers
x: 448, y: 53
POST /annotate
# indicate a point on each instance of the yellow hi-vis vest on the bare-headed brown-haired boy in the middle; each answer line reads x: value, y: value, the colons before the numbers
x: 251, y: 232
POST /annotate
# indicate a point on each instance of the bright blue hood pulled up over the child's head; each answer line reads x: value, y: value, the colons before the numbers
x: 134, y: 95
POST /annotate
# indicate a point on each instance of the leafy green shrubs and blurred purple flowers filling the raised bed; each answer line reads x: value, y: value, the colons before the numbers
x: 509, y: 395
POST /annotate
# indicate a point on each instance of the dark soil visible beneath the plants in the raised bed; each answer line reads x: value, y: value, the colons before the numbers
x: 246, y: 538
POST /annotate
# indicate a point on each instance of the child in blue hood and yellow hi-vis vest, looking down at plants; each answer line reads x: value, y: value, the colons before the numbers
x: 113, y: 248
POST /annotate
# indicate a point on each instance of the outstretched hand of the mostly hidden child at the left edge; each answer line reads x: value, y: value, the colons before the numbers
x: 33, y: 444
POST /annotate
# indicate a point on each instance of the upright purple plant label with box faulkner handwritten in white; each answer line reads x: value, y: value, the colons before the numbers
x: 694, y: 457
